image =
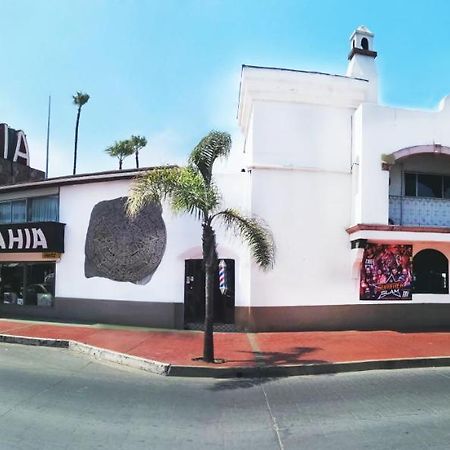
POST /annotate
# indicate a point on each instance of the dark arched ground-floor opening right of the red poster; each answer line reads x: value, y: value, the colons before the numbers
x: 430, y: 272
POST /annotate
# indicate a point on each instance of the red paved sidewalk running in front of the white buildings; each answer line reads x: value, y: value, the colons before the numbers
x: 269, y: 353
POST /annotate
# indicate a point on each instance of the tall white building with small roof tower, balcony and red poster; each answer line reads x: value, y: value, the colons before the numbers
x: 363, y: 228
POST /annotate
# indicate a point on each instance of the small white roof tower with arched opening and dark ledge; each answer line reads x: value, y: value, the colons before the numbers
x: 362, y: 60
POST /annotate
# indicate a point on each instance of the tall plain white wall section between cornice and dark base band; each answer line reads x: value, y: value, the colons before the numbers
x: 301, y: 185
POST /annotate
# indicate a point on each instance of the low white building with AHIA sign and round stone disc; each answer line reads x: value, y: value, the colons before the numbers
x: 69, y: 252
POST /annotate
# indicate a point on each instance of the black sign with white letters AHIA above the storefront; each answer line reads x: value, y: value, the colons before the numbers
x: 32, y: 237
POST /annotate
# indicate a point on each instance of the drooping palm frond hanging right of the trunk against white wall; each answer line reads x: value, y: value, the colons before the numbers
x: 254, y: 232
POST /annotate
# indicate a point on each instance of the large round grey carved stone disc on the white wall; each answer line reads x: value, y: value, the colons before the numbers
x: 123, y: 249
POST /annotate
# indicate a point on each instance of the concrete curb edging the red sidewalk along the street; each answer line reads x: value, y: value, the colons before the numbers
x: 166, y: 369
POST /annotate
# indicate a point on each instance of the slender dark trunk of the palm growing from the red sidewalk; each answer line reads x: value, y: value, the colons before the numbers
x: 210, y: 261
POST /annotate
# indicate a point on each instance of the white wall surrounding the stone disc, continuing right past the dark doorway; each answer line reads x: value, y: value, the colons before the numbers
x: 183, y: 242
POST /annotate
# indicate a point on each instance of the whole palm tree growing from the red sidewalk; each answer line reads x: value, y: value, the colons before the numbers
x: 192, y: 190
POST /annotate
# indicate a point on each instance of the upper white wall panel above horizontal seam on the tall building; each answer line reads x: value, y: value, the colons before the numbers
x: 302, y: 136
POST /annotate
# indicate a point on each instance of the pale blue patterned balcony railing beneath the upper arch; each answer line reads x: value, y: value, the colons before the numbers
x: 419, y: 211
